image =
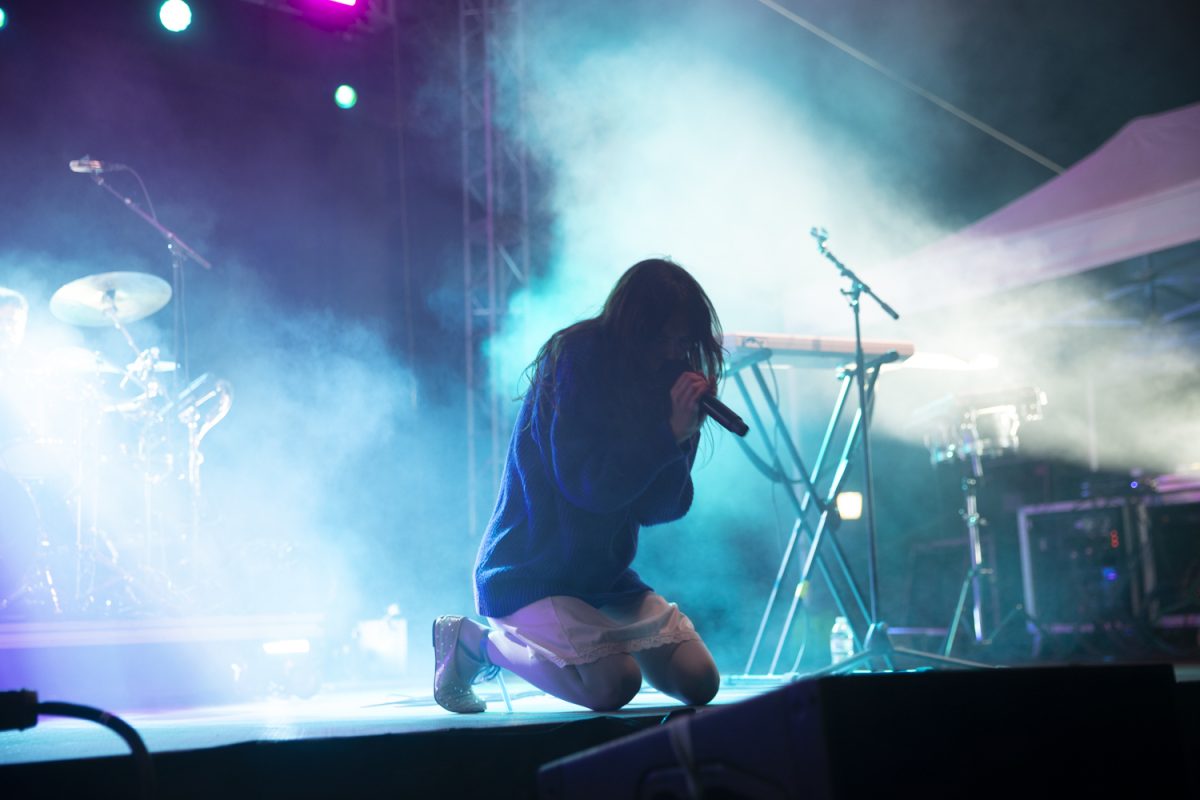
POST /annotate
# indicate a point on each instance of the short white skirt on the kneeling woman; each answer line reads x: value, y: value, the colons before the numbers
x: 571, y: 631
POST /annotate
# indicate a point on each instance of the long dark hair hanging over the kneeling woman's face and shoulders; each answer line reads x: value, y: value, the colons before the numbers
x: 640, y: 305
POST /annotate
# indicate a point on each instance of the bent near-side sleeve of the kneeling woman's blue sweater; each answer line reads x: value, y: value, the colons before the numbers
x: 593, y: 470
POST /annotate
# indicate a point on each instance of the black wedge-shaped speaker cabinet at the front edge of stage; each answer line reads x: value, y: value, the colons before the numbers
x: 1096, y: 732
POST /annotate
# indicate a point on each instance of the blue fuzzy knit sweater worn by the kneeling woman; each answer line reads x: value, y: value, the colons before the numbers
x: 578, y: 488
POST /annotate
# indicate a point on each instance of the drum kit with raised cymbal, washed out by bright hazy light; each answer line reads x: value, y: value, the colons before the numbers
x: 100, y: 464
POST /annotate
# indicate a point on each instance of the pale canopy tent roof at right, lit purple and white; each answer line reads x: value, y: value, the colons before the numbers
x: 1138, y: 194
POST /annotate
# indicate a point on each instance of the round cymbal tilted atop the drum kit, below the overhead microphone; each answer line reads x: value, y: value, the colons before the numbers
x: 109, y: 298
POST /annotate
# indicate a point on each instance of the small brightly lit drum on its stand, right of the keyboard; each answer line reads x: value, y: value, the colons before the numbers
x: 969, y: 430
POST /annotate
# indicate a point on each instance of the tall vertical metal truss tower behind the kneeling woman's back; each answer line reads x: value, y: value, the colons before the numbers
x: 496, y: 224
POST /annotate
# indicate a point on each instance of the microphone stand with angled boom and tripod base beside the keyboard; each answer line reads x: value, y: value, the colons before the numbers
x: 877, y: 646
